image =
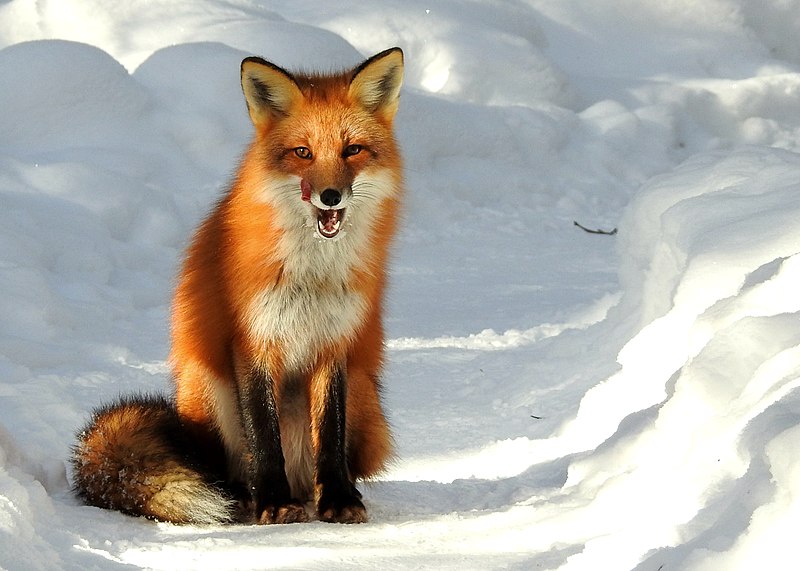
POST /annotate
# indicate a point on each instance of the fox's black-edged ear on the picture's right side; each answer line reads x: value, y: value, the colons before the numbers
x: 376, y: 82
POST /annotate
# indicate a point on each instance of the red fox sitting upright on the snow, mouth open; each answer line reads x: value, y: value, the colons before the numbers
x: 277, y: 336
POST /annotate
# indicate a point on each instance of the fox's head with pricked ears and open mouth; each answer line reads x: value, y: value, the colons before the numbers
x: 326, y: 141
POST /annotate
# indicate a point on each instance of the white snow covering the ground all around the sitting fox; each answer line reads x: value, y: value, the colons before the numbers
x: 560, y: 399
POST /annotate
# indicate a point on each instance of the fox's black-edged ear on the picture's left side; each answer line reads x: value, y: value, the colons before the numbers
x: 270, y: 91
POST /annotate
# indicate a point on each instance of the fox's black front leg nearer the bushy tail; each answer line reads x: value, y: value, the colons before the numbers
x: 266, y: 471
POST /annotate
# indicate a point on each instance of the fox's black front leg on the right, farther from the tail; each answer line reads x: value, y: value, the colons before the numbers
x: 337, y: 498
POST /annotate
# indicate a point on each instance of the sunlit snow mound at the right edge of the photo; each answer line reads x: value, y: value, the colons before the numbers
x: 710, y: 271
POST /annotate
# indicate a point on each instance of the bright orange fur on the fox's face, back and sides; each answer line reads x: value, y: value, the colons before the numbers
x: 239, y: 246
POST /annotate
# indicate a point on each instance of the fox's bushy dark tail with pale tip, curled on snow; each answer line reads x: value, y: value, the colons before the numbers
x: 136, y: 456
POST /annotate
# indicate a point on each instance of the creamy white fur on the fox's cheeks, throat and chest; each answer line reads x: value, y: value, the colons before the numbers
x: 314, y: 306
